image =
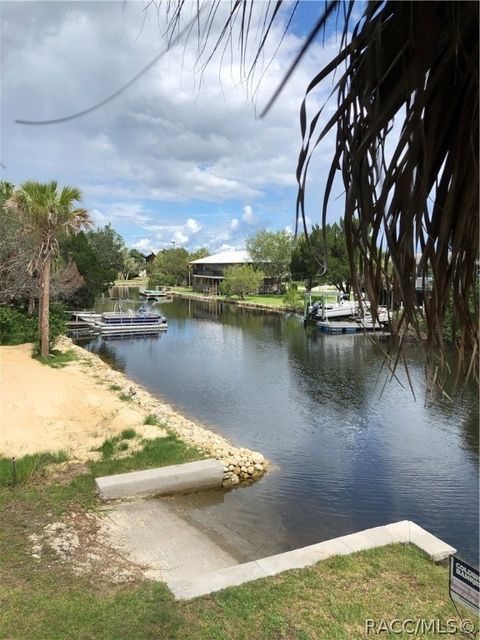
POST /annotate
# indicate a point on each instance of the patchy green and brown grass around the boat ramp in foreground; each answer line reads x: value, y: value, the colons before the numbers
x: 46, y: 599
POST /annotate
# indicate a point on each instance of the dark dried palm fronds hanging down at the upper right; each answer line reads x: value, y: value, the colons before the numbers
x: 414, y: 63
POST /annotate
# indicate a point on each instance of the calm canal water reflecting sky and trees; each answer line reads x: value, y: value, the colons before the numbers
x: 347, y: 452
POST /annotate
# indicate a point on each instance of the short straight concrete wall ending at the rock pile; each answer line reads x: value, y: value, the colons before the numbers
x: 189, y: 477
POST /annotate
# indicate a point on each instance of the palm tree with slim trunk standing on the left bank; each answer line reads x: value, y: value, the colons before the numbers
x: 47, y: 213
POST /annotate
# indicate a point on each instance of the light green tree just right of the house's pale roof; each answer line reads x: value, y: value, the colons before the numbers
x: 273, y: 251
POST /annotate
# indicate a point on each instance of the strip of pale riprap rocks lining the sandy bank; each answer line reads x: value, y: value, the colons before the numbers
x: 240, y: 464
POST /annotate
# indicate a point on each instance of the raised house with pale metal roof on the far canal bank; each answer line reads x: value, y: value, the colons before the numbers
x: 206, y: 274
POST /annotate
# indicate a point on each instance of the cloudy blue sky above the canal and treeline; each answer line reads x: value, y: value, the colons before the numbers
x: 181, y: 156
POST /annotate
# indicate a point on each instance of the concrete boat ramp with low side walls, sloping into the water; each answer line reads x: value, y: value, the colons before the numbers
x: 195, y: 559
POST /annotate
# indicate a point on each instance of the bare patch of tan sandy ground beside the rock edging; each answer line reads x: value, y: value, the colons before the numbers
x: 46, y: 409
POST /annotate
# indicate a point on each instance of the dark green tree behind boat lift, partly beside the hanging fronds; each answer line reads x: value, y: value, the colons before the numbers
x: 311, y: 265
